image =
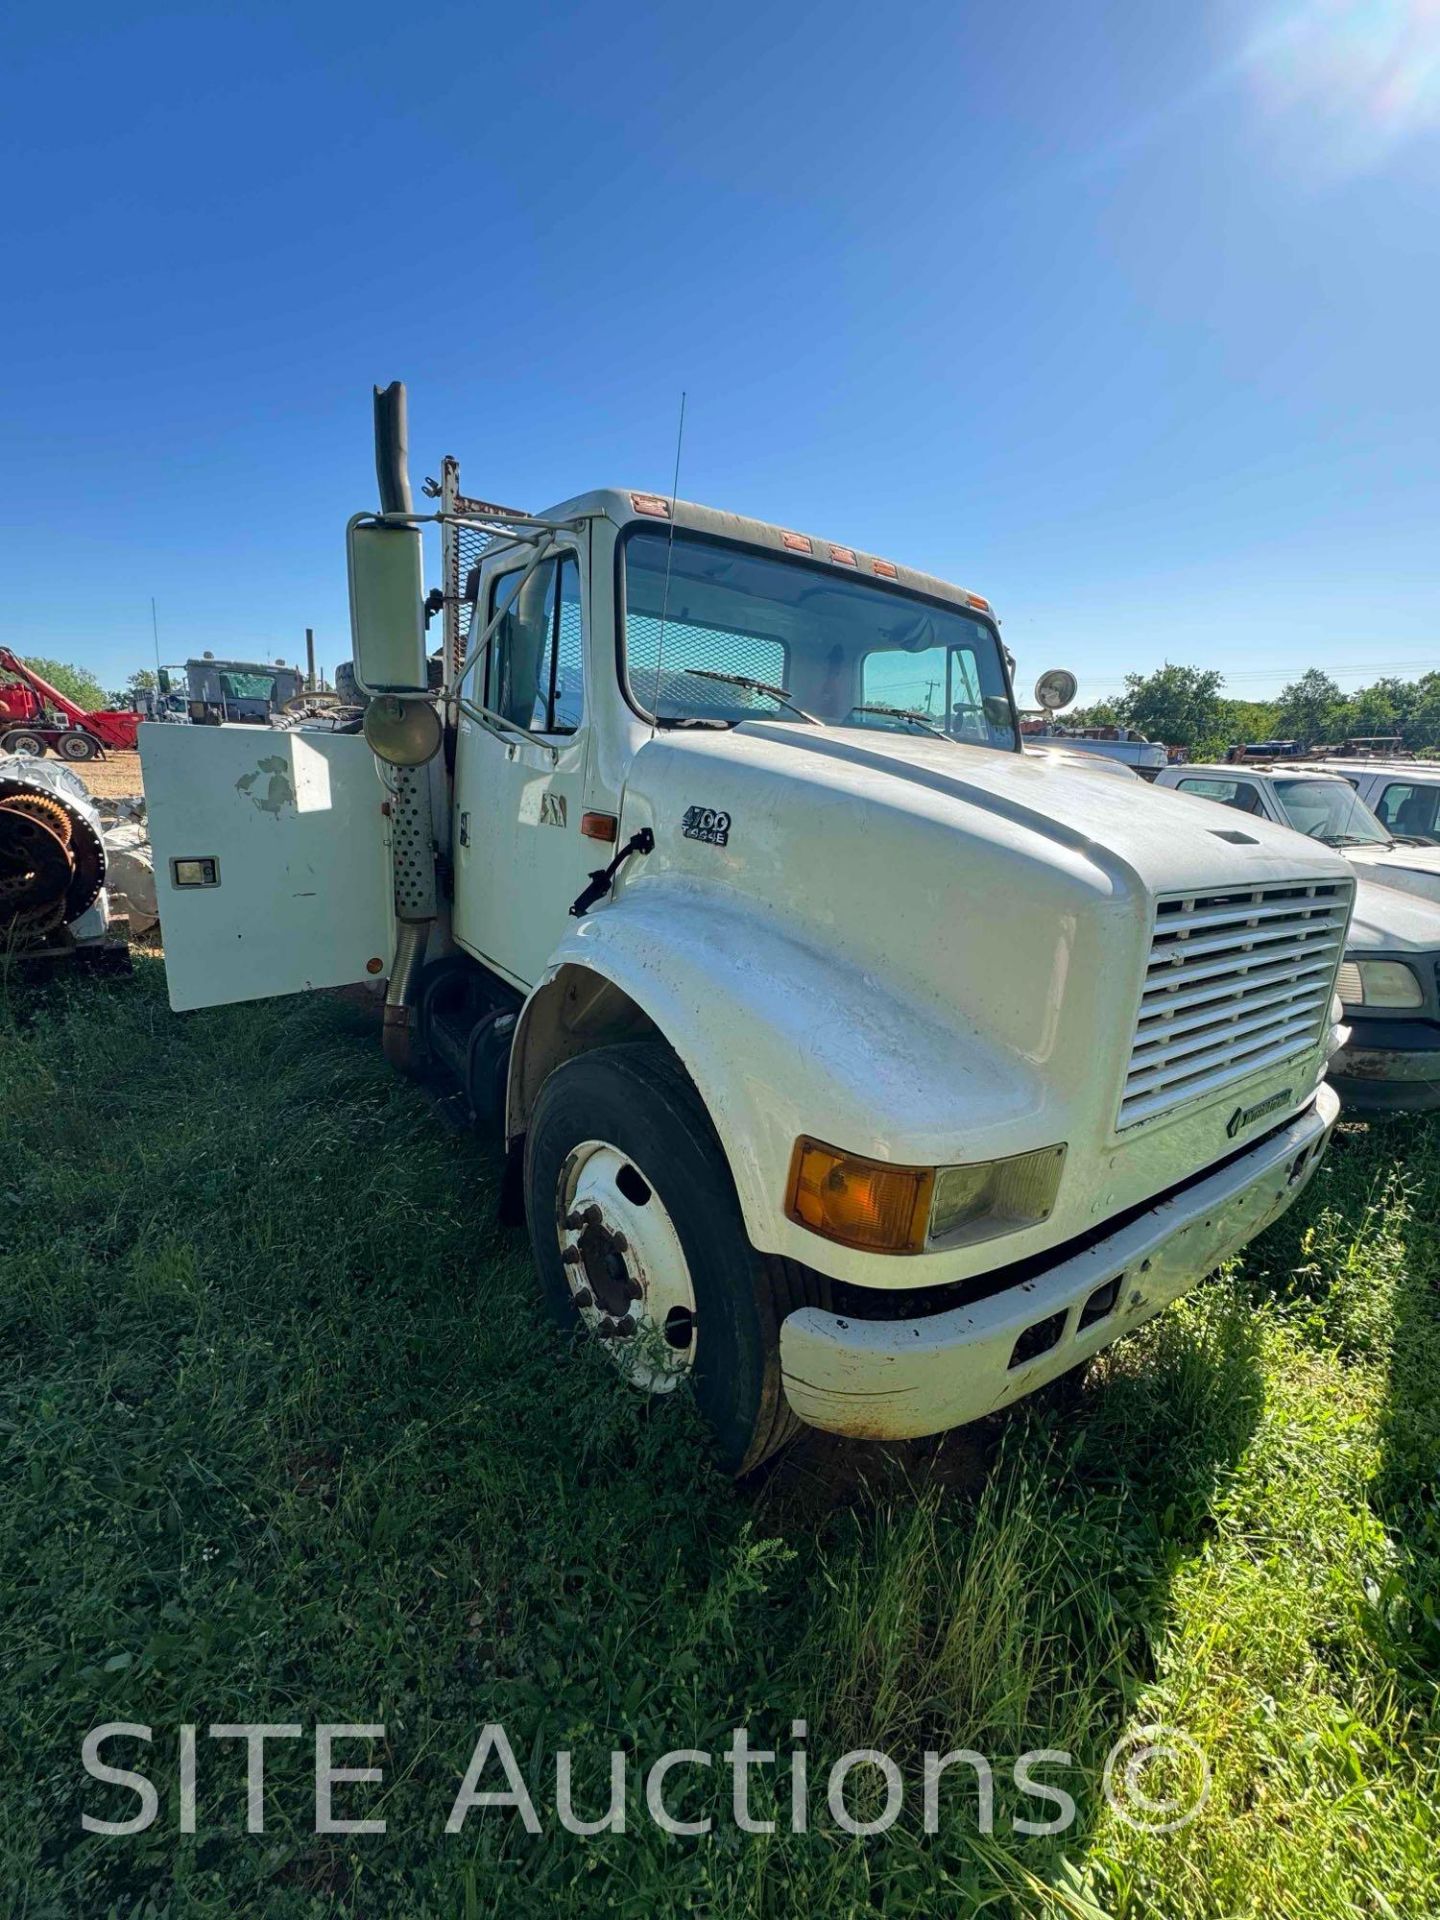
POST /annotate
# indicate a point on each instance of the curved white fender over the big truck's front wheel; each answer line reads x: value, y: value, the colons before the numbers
x: 782, y: 1040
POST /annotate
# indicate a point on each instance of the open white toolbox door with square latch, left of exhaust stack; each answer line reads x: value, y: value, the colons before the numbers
x: 272, y: 861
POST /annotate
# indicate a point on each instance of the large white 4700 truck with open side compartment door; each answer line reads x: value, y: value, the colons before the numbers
x: 853, y: 1065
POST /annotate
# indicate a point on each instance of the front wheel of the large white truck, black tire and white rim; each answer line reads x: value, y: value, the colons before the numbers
x: 640, y: 1243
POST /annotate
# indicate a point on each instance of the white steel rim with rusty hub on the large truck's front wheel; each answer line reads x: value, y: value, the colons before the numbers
x: 625, y: 1268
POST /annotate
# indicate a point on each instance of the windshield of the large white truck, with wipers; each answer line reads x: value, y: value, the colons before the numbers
x: 798, y: 642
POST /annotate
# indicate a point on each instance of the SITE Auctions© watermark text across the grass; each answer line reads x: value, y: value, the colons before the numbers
x: 1155, y: 1779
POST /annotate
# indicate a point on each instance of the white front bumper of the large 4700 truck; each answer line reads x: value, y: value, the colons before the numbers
x: 898, y: 1380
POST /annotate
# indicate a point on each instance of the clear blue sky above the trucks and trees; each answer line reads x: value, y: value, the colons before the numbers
x: 1120, y: 316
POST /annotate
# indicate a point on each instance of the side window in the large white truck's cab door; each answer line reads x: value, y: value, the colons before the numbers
x: 535, y: 667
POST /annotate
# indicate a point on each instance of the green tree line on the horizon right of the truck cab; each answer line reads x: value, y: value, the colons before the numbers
x: 1186, y: 708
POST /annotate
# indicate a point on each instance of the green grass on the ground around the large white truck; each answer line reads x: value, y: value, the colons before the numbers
x: 287, y: 1439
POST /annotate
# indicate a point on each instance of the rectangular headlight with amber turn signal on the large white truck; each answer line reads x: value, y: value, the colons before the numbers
x: 903, y: 1211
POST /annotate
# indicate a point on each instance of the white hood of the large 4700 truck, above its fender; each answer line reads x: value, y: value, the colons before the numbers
x: 1011, y: 894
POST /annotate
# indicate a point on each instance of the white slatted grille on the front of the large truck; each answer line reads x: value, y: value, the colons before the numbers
x: 1236, y: 982
